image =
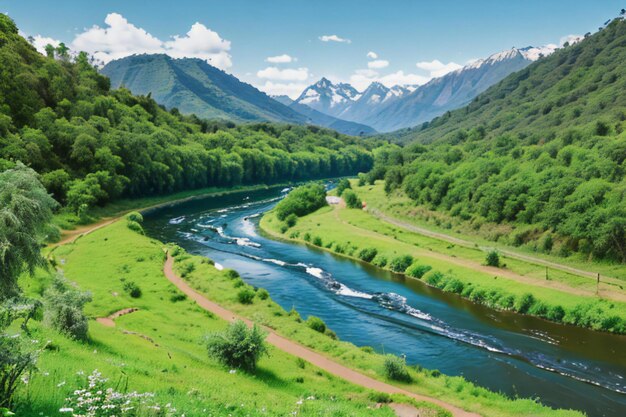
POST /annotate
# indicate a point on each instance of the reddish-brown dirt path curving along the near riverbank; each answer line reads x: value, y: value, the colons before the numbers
x: 298, y: 350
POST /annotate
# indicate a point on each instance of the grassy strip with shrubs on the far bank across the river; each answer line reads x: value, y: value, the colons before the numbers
x: 519, y: 286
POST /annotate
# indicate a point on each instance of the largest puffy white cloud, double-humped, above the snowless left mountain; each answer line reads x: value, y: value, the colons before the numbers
x: 121, y: 38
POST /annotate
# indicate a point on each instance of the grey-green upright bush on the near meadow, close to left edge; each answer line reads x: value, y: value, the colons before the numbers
x: 63, y: 309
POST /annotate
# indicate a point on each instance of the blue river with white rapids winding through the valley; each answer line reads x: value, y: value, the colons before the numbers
x: 560, y: 366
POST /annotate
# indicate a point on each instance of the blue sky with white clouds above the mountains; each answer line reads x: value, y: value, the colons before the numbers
x: 407, y: 41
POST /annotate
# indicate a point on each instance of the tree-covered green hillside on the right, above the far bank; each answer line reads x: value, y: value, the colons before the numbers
x: 543, y: 151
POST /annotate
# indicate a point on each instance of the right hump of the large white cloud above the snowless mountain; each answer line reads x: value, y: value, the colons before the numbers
x: 200, y: 42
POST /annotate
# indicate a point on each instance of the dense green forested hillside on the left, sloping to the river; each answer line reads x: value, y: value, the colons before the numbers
x: 92, y: 144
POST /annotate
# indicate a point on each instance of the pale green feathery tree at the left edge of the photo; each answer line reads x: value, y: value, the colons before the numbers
x: 25, y: 211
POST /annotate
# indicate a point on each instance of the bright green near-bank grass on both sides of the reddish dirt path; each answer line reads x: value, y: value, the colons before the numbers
x: 159, y: 347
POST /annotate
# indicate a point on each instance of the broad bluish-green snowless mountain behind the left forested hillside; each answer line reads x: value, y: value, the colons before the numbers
x: 195, y: 87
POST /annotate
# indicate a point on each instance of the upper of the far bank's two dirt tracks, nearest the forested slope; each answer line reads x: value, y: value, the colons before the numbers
x: 510, y: 254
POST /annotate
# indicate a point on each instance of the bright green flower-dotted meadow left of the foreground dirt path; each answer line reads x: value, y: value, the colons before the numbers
x: 160, y: 348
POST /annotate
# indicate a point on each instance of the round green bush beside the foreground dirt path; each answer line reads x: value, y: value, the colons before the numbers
x: 238, y: 346
